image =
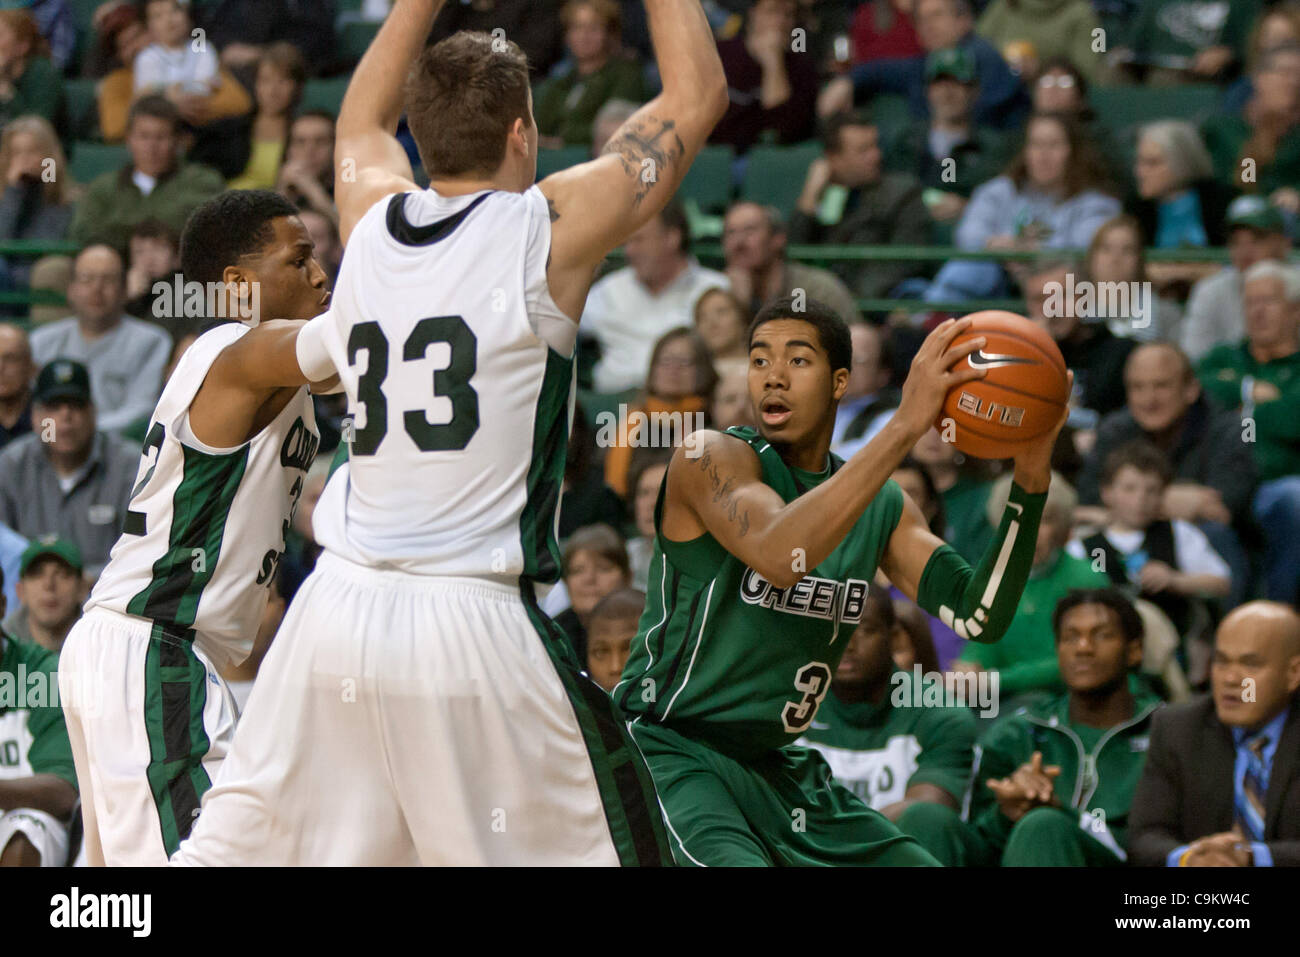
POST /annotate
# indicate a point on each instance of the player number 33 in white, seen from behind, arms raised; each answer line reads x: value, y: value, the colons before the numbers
x: 418, y: 707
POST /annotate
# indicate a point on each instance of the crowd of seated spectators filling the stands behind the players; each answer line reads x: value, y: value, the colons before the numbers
x: 959, y: 125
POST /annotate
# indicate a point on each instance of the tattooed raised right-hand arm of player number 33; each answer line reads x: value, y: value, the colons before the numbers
x: 599, y: 205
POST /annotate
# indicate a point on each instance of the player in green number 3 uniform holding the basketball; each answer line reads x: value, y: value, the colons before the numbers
x: 765, y: 545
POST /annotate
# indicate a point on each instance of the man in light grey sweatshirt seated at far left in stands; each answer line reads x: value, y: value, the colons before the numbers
x: 125, y: 357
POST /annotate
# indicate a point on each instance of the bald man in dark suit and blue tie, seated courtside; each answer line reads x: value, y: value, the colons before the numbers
x: 1223, y: 778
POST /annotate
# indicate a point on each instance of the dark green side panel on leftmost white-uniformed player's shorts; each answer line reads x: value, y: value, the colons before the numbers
x: 176, y: 692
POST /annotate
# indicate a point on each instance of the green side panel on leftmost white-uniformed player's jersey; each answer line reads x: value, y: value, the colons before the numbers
x: 200, y: 509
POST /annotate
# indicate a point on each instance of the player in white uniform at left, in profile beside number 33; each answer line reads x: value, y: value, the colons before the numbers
x: 223, y: 467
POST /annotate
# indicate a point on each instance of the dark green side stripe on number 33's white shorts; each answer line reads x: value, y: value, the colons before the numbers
x: 622, y: 777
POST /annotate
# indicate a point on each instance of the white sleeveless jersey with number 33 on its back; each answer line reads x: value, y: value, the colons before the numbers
x: 458, y: 369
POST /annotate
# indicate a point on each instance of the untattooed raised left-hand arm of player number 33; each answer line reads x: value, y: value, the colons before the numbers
x: 370, y: 163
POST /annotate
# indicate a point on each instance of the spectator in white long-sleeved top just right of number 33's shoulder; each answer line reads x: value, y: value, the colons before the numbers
x: 629, y: 310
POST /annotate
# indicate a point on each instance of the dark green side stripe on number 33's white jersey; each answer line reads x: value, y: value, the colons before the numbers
x: 547, y: 471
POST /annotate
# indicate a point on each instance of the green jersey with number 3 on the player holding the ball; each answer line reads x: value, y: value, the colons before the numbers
x: 722, y: 656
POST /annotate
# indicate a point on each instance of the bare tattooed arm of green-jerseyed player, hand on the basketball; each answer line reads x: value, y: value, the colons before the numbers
x: 718, y: 477
